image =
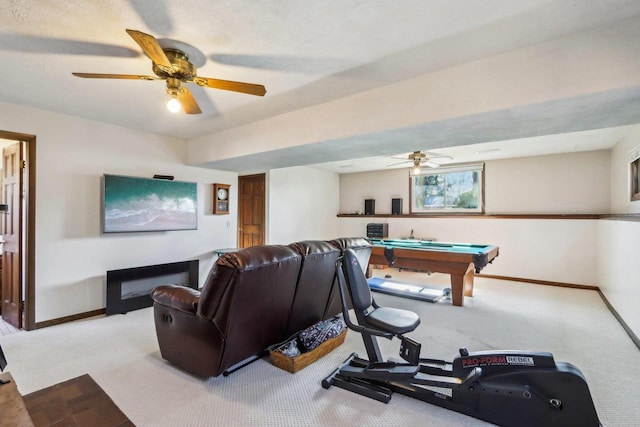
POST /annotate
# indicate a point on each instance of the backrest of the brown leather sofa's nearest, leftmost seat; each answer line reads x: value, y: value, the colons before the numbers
x: 248, y: 296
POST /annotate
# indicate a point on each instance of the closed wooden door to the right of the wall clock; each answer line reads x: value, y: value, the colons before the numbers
x: 251, y: 202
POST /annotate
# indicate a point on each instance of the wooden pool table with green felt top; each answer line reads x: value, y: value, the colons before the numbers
x: 460, y: 260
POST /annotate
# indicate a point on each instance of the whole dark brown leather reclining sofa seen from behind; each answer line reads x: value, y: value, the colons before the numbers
x: 252, y: 299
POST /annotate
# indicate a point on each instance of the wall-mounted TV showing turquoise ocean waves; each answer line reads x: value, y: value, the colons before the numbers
x: 145, y: 204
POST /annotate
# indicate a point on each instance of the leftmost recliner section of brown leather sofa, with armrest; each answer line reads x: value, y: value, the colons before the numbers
x: 244, y: 307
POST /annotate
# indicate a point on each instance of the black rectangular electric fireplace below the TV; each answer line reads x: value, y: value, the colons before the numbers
x: 130, y: 288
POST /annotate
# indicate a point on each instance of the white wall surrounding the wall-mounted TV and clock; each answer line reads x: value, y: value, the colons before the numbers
x: 72, y: 256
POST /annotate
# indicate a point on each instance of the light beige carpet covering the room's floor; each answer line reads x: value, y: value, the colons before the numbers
x: 121, y: 353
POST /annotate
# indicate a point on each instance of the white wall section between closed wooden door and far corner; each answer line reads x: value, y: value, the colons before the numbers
x: 303, y: 204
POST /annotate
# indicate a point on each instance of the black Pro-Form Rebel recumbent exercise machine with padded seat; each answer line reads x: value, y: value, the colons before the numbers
x: 509, y: 388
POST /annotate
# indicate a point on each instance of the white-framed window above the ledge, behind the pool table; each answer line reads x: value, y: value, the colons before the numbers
x: 448, y: 189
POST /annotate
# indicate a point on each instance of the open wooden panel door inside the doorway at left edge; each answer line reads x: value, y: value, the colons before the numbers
x: 12, y: 188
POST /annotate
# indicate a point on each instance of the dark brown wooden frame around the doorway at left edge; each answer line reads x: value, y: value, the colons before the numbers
x: 28, y: 251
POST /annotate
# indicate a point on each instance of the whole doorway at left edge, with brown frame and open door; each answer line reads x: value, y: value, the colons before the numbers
x: 17, y: 295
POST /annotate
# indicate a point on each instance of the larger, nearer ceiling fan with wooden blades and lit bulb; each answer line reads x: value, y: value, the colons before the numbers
x: 173, y: 66
